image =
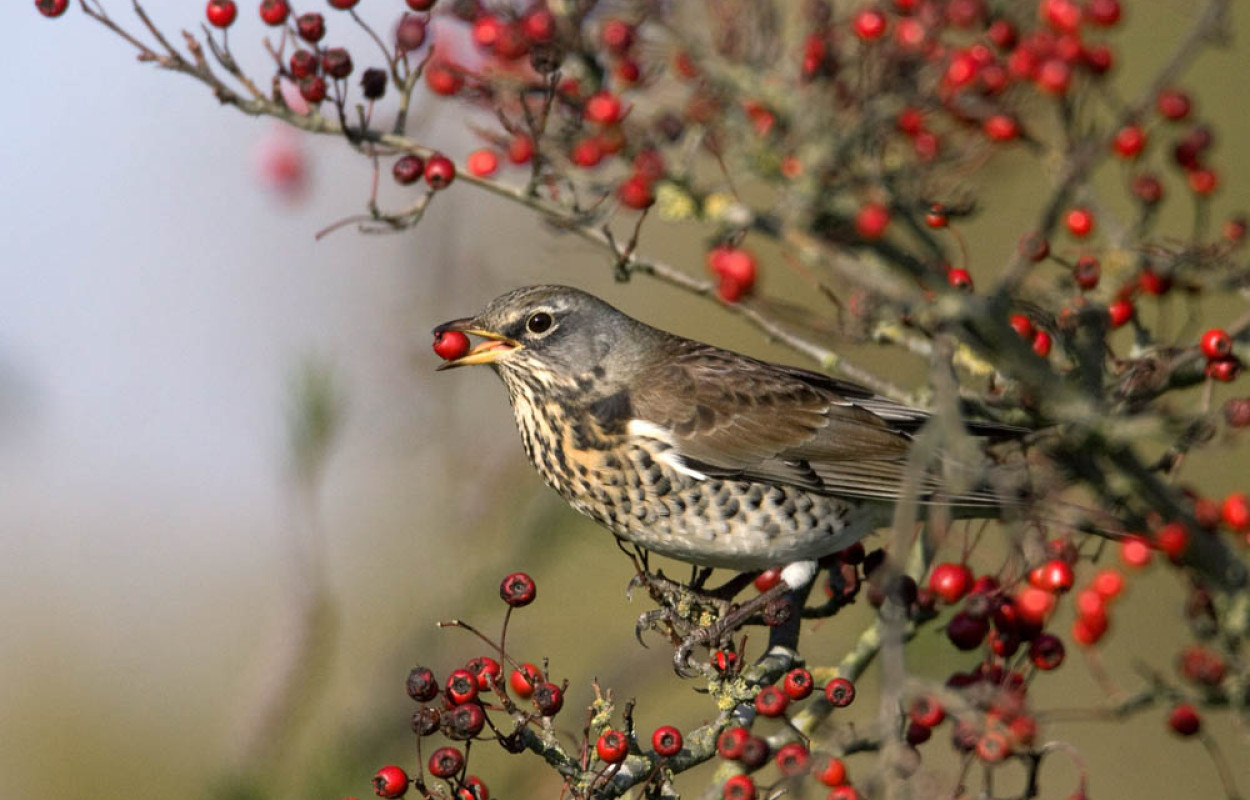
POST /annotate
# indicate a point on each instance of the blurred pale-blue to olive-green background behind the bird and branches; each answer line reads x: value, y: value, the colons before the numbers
x: 159, y: 306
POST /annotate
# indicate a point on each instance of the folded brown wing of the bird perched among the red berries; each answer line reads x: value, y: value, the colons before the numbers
x: 729, y: 416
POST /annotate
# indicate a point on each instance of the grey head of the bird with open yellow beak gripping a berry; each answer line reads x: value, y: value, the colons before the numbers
x: 556, y: 333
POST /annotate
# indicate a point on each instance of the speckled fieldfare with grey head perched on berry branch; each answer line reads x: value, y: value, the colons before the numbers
x: 697, y: 453
